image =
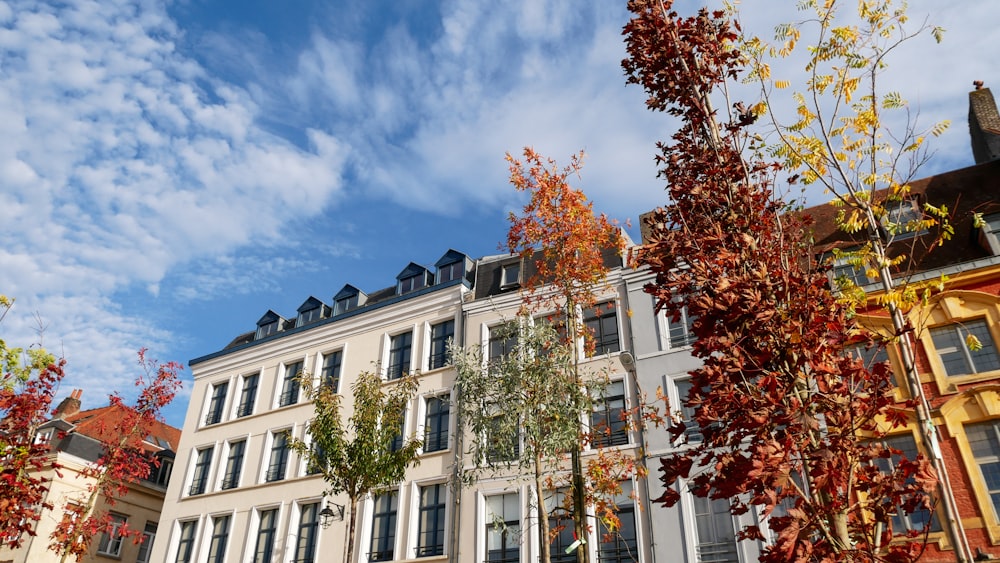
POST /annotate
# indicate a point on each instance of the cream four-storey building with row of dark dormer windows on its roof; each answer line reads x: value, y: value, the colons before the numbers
x: 240, y: 494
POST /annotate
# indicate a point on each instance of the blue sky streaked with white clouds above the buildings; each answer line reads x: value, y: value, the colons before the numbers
x: 171, y: 171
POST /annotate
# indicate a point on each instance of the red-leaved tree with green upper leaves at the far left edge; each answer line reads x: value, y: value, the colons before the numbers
x: 30, y: 378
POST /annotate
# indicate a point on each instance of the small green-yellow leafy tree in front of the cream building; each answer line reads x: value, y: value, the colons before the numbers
x: 365, y: 454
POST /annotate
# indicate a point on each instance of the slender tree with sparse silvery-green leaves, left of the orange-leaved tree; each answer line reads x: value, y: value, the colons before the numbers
x: 521, y: 410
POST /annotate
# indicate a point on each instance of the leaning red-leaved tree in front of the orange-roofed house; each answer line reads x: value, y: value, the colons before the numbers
x: 123, y: 463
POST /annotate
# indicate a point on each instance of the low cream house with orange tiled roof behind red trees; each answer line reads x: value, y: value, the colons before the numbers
x: 74, y: 438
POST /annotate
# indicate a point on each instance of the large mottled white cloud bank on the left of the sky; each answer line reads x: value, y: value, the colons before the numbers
x: 122, y: 159
